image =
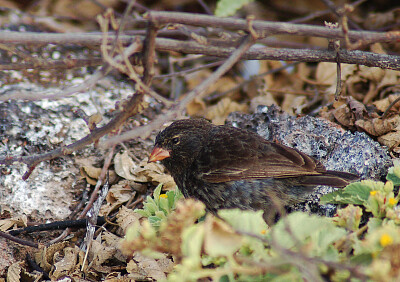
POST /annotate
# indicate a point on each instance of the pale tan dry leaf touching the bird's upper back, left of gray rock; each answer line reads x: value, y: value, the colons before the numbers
x: 222, y: 109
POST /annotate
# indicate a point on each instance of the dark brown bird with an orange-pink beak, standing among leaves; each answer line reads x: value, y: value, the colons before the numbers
x: 227, y: 167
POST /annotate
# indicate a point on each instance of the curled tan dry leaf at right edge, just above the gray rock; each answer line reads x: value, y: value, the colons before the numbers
x: 378, y: 126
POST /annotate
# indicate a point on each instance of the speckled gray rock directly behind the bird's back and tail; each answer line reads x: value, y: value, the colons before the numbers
x: 335, y: 147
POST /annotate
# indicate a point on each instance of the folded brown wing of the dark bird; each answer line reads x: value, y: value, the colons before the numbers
x: 233, y: 154
